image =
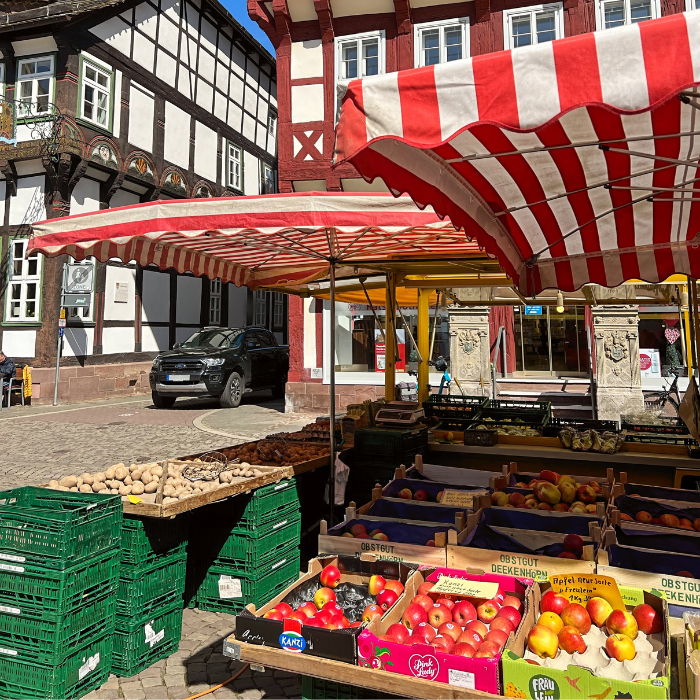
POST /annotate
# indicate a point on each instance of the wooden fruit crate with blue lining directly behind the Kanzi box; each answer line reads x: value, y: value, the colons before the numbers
x: 401, y: 540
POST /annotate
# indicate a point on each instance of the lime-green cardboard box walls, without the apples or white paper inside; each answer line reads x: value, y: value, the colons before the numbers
x: 524, y: 680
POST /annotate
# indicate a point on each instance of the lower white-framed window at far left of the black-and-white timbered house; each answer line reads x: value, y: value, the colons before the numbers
x: 24, y: 285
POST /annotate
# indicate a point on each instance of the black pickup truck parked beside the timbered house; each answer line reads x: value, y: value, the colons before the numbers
x: 221, y: 362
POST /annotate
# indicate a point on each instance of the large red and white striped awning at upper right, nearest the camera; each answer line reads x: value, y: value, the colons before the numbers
x: 572, y: 161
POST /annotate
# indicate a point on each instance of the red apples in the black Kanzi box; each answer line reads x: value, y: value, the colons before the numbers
x: 325, y: 612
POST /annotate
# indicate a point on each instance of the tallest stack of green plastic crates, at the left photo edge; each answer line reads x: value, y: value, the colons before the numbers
x: 59, y: 565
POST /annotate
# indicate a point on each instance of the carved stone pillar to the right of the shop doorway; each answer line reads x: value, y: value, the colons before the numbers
x: 618, y: 375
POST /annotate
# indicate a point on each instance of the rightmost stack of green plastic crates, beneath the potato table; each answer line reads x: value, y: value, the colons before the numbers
x: 259, y: 556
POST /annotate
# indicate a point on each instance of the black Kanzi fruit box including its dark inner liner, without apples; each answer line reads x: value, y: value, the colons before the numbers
x: 253, y: 627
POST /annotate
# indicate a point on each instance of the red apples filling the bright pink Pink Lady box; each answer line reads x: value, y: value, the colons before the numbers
x: 454, y: 626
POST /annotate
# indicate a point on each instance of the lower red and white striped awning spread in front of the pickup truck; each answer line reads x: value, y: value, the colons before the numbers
x: 268, y: 240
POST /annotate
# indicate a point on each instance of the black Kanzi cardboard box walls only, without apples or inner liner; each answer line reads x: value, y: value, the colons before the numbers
x: 341, y: 644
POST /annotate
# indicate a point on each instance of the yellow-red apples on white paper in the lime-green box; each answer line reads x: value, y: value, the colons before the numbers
x: 564, y: 625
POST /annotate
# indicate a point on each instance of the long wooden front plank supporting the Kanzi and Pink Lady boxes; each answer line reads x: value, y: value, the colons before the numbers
x: 339, y: 672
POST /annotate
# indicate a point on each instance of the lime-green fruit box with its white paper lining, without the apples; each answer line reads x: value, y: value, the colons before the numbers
x: 570, y: 677
